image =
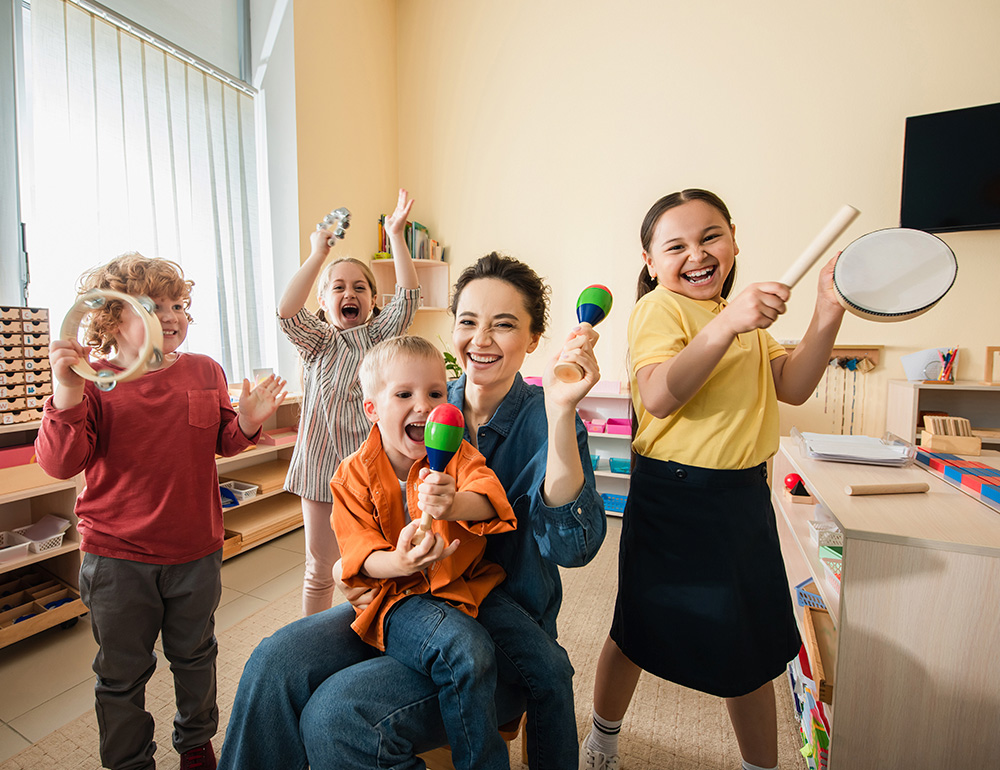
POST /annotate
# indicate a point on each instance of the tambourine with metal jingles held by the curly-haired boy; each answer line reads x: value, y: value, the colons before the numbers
x: 151, y: 355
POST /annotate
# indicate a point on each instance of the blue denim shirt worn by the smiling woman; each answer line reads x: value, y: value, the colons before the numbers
x: 515, y: 445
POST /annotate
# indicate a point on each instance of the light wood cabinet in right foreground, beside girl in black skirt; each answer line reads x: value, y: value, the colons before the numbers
x: 913, y: 658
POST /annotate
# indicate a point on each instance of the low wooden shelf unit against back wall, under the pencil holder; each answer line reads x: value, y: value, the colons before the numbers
x: 978, y: 403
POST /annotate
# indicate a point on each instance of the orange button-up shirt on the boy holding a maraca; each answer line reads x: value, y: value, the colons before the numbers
x: 368, y: 516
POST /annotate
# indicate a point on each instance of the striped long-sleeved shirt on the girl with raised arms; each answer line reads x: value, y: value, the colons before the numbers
x: 333, y: 423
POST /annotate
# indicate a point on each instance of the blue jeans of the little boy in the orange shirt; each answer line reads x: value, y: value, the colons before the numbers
x: 431, y: 637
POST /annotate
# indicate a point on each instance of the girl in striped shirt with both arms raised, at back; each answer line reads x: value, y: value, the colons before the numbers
x: 331, y: 344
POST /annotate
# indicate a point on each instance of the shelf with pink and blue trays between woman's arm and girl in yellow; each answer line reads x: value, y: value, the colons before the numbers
x: 607, y: 416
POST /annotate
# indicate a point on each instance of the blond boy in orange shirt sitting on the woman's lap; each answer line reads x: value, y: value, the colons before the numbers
x: 426, y: 595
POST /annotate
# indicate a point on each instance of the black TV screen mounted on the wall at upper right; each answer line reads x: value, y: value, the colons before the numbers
x: 951, y: 170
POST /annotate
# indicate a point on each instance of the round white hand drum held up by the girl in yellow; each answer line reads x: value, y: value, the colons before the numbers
x: 894, y: 274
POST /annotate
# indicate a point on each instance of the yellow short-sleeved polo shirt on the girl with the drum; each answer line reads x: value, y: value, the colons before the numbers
x: 732, y: 422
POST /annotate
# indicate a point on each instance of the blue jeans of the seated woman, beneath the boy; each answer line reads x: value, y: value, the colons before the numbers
x: 314, y: 694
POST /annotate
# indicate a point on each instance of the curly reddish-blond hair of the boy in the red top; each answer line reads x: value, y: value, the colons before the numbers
x: 136, y: 275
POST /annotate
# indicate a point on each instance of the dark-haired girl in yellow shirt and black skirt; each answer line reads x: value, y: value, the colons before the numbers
x: 702, y: 595
